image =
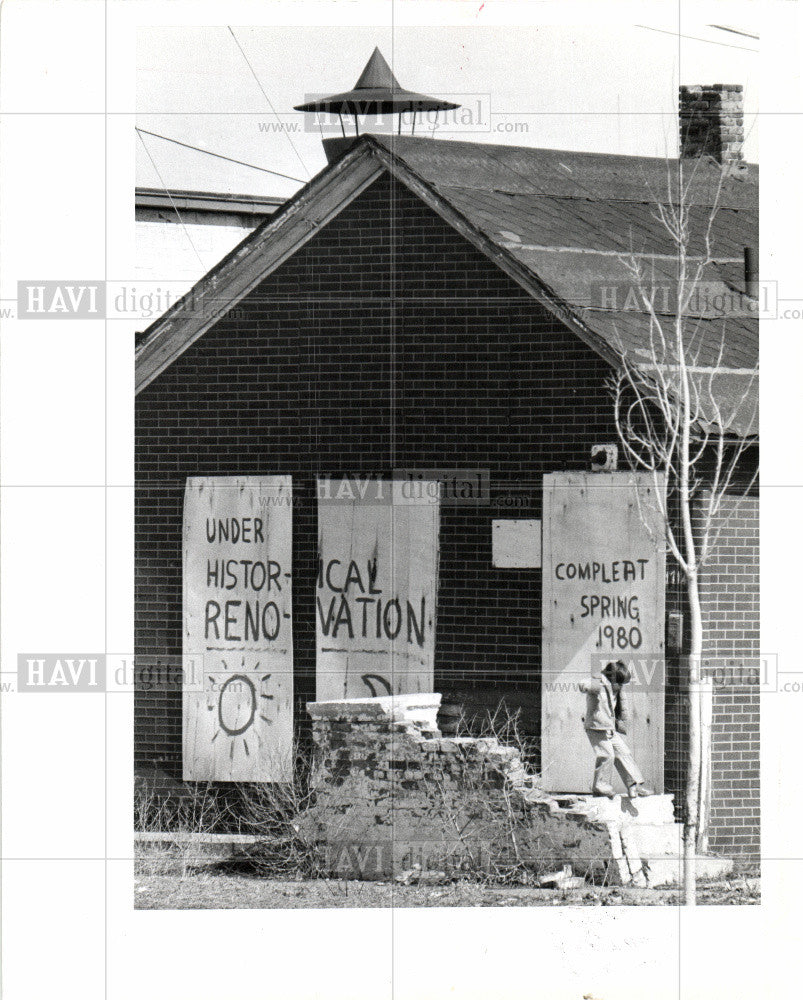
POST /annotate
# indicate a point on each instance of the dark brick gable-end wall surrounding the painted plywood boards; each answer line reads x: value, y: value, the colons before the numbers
x: 415, y: 352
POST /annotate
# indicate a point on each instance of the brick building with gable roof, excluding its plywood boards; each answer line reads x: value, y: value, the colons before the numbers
x: 437, y: 305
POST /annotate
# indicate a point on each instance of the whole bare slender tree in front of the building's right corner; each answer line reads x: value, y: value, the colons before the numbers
x: 672, y: 419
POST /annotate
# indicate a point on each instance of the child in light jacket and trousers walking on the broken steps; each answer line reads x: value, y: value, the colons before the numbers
x: 606, y: 719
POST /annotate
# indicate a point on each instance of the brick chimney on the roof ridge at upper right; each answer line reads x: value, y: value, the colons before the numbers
x: 712, y: 122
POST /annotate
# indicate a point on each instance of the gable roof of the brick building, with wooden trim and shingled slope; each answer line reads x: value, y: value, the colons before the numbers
x: 559, y: 223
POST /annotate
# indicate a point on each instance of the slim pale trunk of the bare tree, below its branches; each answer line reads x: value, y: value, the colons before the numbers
x: 693, y: 776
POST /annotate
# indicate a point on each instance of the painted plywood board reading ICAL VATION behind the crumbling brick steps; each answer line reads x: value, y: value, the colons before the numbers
x: 376, y: 588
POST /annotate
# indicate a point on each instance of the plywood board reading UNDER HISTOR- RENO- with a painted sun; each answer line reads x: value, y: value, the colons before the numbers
x: 237, y: 621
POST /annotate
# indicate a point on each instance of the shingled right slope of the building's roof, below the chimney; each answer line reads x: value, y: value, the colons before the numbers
x: 581, y: 222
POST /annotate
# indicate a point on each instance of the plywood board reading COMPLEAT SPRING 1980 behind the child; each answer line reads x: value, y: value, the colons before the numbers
x: 603, y: 599
